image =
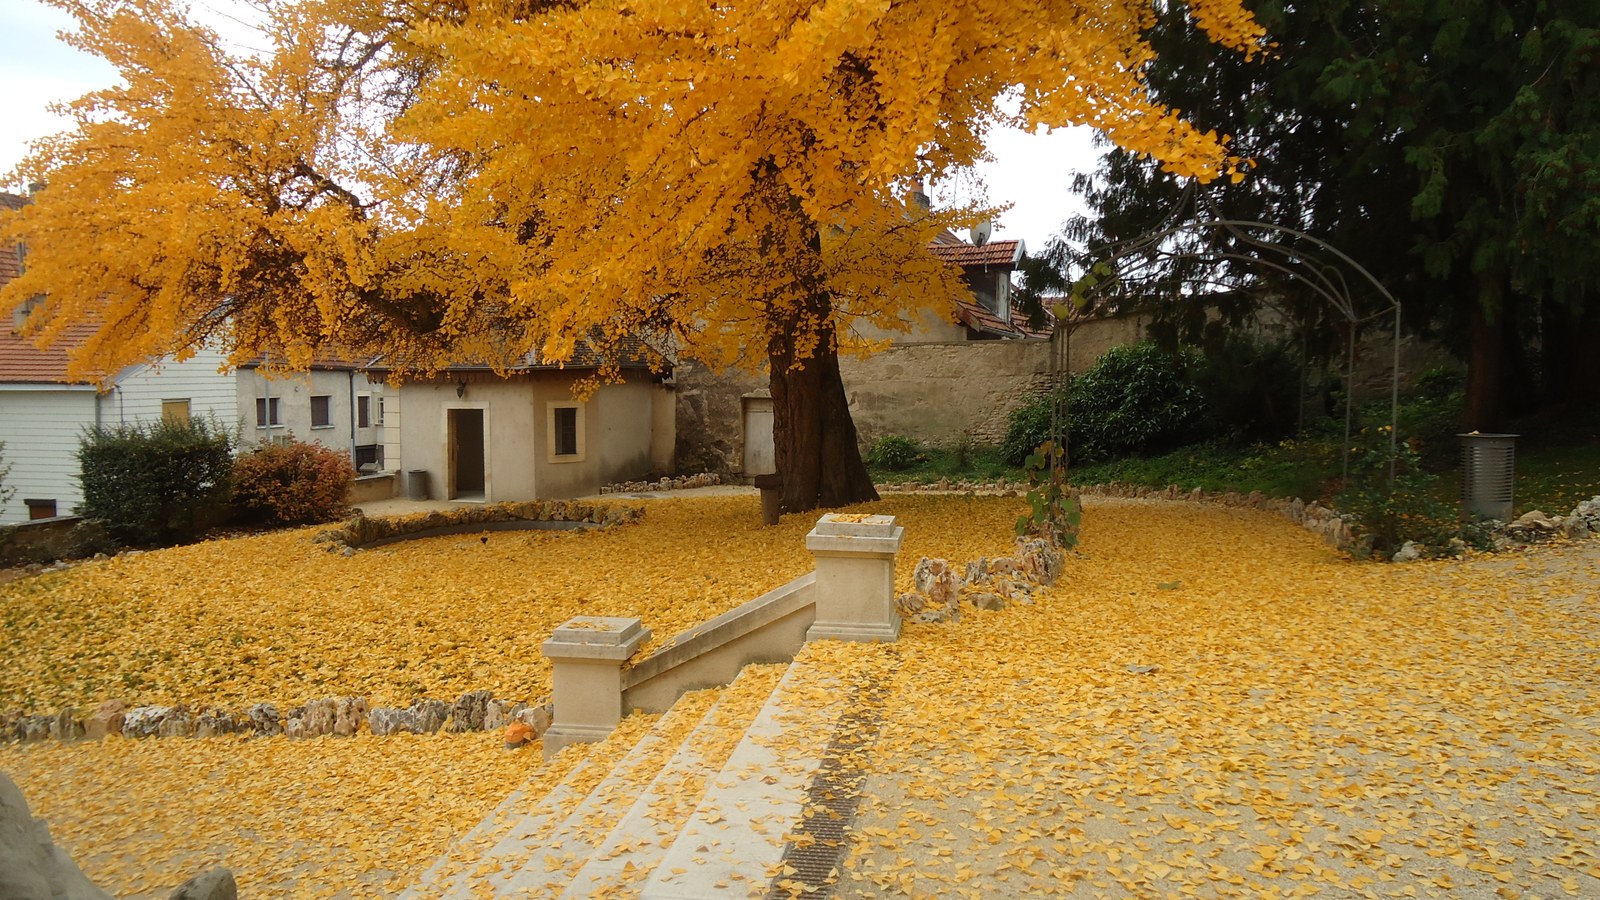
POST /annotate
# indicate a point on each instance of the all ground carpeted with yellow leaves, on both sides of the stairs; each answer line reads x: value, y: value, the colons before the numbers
x: 1311, y: 726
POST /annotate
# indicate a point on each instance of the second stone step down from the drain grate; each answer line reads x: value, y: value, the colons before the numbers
x: 644, y: 835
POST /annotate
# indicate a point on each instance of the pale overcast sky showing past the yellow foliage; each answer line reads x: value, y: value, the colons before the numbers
x: 1031, y: 172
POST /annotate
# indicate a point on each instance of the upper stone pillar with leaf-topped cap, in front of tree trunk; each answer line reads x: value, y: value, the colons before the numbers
x: 855, y: 577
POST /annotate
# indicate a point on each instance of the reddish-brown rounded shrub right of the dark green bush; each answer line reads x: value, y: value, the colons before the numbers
x: 294, y: 484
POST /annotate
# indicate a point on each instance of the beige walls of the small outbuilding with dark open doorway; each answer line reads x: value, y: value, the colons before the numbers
x: 518, y: 414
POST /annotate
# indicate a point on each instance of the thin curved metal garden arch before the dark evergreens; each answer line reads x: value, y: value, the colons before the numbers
x: 1326, y: 279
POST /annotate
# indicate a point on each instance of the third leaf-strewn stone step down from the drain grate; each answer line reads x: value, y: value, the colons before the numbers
x: 497, y: 851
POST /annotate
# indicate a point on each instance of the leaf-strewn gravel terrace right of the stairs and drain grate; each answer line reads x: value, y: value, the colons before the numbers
x: 1214, y: 704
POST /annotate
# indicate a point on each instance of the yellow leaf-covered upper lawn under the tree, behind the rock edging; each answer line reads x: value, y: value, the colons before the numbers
x: 278, y: 619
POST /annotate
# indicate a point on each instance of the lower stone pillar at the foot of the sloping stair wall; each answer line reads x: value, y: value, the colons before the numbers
x: 586, y: 677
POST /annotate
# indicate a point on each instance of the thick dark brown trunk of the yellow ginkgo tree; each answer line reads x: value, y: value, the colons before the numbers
x: 814, y: 436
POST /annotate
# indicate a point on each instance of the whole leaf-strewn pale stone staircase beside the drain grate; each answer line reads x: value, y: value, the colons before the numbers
x: 702, y: 805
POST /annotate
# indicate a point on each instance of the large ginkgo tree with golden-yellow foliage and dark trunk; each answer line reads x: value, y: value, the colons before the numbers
x: 446, y: 180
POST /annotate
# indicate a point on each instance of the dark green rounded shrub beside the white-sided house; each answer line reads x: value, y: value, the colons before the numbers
x: 156, y: 484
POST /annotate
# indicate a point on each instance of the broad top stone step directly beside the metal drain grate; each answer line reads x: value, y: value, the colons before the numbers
x: 734, y: 843
